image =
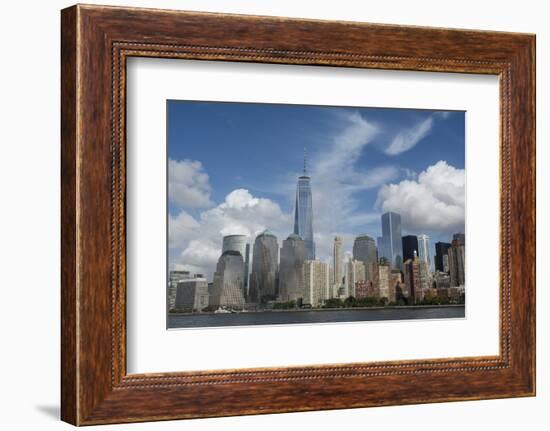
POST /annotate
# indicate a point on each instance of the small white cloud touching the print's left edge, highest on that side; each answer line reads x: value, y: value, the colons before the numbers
x: 188, y: 184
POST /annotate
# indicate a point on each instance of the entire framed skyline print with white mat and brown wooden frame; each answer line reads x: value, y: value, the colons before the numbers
x: 263, y: 214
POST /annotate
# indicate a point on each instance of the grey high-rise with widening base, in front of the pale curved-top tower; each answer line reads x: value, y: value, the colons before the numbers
x: 228, y: 288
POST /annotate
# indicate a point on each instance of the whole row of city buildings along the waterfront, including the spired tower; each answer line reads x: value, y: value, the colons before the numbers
x: 397, y: 271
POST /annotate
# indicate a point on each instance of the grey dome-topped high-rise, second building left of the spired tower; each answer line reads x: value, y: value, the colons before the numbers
x: 265, y: 262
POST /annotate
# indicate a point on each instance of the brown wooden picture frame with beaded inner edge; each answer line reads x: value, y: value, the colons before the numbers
x: 95, y: 43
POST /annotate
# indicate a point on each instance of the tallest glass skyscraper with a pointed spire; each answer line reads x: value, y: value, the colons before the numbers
x: 303, y: 215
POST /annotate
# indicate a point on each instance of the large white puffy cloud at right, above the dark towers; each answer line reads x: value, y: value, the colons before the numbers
x: 434, y: 202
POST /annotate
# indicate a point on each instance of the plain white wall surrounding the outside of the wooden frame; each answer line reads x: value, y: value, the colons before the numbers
x: 29, y: 218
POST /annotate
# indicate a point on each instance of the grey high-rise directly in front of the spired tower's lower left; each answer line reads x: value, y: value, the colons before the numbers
x: 291, y: 274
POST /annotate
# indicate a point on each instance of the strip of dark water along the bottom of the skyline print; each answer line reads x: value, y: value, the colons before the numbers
x: 324, y: 316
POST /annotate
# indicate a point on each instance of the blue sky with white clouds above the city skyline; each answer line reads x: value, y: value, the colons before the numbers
x: 236, y: 163
